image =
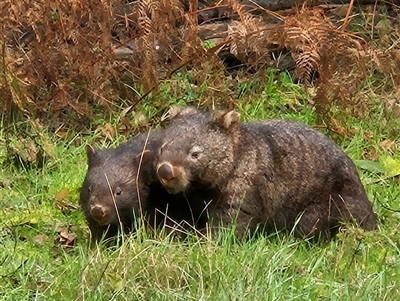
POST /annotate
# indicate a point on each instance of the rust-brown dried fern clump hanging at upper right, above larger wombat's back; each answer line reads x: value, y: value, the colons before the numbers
x: 324, y: 56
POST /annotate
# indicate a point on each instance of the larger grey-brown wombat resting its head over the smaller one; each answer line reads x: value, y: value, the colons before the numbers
x: 271, y: 175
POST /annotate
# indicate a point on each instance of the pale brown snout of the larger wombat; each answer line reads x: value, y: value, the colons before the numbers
x: 172, y: 177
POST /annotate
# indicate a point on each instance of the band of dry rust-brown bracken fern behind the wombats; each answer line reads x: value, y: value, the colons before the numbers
x: 69, y: 54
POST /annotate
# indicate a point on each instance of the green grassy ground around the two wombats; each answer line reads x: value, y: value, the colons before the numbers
x: 36, y: 204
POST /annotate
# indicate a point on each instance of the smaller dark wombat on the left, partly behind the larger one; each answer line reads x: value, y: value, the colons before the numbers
x: 121, y: 186
